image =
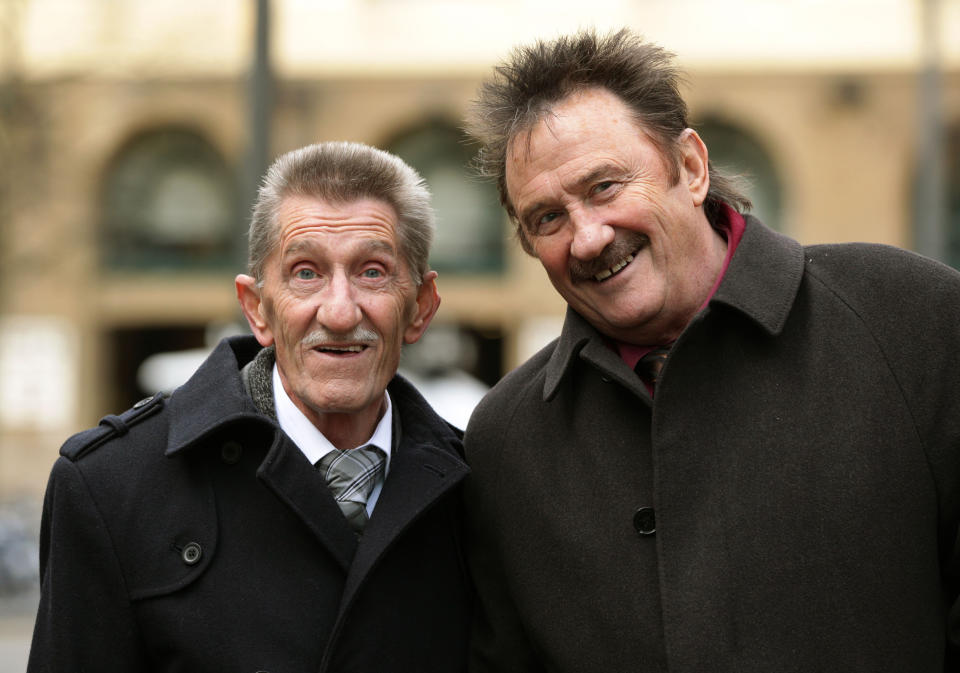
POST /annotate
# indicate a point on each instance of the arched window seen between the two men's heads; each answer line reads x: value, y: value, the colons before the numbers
x: 470, y: 231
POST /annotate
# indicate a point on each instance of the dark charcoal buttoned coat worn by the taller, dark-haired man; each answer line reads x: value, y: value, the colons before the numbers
x: 787, y: 503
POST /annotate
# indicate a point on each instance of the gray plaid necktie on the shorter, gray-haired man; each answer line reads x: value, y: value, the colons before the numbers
x: 351, y: 476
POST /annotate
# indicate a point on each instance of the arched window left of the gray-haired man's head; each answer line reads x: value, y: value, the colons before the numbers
x: 169, y: 201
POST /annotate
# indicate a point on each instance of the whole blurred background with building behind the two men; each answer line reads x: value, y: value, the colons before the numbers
x: 133, y: 133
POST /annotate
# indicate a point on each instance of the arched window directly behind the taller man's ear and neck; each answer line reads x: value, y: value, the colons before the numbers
x: 738, y: 152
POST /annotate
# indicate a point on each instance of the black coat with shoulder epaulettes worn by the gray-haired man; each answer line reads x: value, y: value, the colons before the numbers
x: 191, y: 534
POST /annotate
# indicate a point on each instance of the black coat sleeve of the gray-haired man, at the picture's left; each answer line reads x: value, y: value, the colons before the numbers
x: 85, y: 620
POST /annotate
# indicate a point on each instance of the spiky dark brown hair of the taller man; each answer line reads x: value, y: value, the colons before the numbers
x: 524, y: 89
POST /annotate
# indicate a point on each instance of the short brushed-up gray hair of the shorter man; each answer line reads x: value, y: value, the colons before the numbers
x: 343, y: 172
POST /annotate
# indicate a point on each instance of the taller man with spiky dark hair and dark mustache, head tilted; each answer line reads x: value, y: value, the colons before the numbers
x: 741, y: 454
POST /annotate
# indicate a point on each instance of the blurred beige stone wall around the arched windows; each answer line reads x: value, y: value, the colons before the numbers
x: 846, y: 166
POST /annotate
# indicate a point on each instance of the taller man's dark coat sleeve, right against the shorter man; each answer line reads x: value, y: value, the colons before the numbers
x: 499, y: 643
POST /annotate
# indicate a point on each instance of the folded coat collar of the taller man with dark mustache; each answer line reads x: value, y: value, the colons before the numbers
x: 761, y: 283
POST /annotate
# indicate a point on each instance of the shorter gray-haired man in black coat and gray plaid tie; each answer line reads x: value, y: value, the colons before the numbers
x: 295, y: 506
